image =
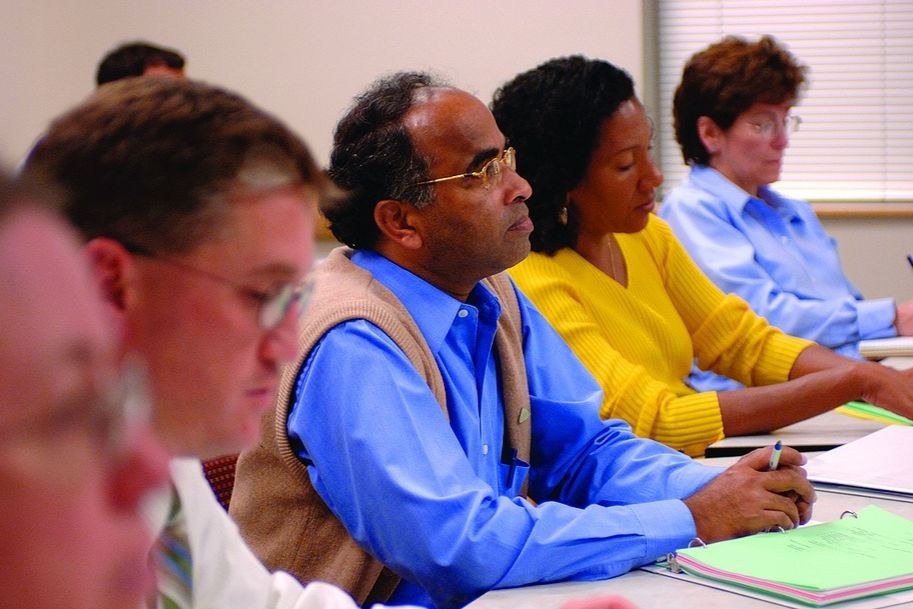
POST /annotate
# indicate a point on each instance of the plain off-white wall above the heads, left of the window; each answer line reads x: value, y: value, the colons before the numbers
x: 302, y: 60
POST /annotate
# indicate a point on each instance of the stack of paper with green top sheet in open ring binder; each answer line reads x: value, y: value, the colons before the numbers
x: 818, y: 565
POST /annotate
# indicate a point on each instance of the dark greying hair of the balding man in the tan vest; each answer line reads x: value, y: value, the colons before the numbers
x: 373, y: 158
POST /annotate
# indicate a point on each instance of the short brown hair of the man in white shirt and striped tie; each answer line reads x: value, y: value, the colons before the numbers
x: 148, y: 161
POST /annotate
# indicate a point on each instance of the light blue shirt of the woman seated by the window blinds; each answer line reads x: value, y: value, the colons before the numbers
x: 773, y: 252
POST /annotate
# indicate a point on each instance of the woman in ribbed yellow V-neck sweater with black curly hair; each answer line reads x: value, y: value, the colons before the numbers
x: 615, y: 282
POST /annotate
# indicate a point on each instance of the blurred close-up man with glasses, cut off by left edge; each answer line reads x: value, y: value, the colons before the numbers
x: 76, y: 456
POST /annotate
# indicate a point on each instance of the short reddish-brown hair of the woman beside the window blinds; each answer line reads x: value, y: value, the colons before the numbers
x: 726, y: 79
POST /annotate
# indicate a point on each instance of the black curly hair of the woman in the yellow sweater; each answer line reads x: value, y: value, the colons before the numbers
x: 552, y: 115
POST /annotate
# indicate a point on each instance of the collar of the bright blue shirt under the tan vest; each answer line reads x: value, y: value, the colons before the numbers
x: 432, y: 309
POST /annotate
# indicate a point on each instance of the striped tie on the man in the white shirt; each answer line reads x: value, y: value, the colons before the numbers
x: 174, y: 567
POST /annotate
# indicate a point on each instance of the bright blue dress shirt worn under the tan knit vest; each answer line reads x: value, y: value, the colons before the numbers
x: 438, y: 502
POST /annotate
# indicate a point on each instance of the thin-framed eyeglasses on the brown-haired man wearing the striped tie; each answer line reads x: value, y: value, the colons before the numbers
x: 272, y: 305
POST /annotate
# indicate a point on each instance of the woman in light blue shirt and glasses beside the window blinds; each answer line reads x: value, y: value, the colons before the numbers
x: 733, y: 116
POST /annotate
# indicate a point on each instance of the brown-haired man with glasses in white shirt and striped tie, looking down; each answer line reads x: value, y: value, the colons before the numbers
x: 198, y: 211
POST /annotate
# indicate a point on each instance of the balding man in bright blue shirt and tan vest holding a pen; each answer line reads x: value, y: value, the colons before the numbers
x: 437, y: 414
